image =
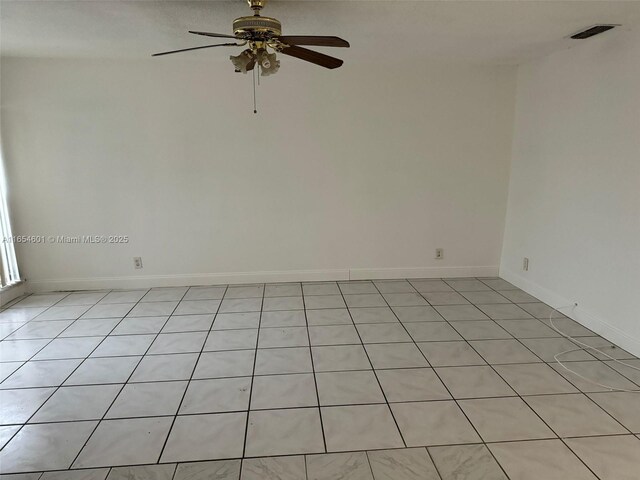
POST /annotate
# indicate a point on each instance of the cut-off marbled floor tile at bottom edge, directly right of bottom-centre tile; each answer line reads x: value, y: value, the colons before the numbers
x: 402, y: 464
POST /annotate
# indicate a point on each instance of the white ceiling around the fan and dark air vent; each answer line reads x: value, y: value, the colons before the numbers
x: 483, y: 32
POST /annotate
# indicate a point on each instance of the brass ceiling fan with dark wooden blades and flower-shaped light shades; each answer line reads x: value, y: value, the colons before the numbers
x: 263, y: 34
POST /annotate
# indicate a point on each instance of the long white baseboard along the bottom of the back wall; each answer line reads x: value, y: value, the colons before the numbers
x: 148, y: 281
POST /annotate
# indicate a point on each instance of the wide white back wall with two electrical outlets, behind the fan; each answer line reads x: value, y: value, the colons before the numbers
x: 361, y: 171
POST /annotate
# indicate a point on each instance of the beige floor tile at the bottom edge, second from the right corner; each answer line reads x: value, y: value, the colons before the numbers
x: 548, y: 459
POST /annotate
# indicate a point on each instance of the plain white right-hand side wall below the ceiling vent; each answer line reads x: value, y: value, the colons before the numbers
x: 574, y: 194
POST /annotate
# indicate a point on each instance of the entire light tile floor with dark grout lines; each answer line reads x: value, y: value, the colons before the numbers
x: 406, y: 380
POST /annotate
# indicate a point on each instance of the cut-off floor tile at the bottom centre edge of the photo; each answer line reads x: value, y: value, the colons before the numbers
x: 338, y: 466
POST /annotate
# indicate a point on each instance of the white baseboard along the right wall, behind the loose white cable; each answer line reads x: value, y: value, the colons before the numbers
x: 581, y: 315
